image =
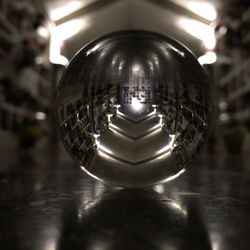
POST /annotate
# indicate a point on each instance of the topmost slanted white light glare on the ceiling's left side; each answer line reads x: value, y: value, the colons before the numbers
x: 67, y: 9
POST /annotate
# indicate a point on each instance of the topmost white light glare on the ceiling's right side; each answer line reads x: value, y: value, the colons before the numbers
x: 203, y: 9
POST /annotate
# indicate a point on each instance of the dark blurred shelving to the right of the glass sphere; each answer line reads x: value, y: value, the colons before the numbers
x: 234, y: 78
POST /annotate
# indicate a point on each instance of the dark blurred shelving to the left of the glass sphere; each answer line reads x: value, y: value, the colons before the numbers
x: 24, y: 62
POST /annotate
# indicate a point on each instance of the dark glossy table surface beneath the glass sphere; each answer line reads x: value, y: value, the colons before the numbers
x: 48, y: 203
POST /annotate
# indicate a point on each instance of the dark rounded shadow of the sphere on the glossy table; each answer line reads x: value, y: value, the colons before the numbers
x: 134, y: 219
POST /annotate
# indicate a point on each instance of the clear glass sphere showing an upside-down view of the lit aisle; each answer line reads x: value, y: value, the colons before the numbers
x: 132, y: 108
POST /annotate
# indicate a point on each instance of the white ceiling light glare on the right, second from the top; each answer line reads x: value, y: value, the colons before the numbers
x: 199, y: 30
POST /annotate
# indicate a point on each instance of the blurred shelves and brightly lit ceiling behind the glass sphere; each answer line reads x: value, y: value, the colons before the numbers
x: 38, y: 38
